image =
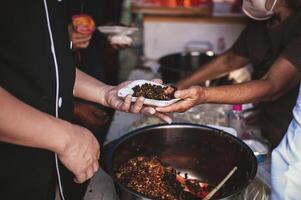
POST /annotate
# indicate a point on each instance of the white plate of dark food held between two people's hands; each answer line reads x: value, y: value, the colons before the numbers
x: 128, y: 90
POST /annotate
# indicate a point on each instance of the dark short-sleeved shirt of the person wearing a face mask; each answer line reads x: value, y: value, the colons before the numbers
x: 263, y: 43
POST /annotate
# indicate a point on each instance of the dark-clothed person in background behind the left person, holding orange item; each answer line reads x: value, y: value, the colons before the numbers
x: 95, y: 56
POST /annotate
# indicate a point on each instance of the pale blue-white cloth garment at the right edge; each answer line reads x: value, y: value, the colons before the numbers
x: 286, y: 161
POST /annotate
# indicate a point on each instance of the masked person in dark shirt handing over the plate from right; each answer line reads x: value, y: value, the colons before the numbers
x: 272, y: 43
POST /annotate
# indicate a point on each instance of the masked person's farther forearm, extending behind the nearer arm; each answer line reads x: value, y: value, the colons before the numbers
x: 219, y: 66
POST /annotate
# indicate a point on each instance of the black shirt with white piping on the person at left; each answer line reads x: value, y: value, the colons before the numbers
x: 28, y: 71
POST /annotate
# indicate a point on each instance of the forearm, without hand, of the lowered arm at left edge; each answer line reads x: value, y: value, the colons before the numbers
x: 23, y: 125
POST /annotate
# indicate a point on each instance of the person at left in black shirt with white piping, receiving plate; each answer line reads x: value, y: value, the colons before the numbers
x: 38, y: 81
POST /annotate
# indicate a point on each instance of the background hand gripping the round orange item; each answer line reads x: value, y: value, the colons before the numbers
x: 79, y: 40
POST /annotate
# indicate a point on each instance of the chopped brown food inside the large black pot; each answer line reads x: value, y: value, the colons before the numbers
x: 149, y: 177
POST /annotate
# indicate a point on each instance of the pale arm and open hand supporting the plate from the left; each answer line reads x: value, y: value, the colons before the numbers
x: 90, y: 89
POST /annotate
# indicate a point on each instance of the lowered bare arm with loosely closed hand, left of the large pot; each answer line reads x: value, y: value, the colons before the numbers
x: 24, y: 125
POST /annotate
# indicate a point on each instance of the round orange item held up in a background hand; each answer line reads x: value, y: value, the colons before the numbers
x: 83, y: 23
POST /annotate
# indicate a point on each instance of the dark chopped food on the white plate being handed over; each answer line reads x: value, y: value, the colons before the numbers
x: 156, y: 92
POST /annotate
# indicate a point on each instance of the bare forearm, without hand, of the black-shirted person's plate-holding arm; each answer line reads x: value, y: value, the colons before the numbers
x: 90, y: 89
